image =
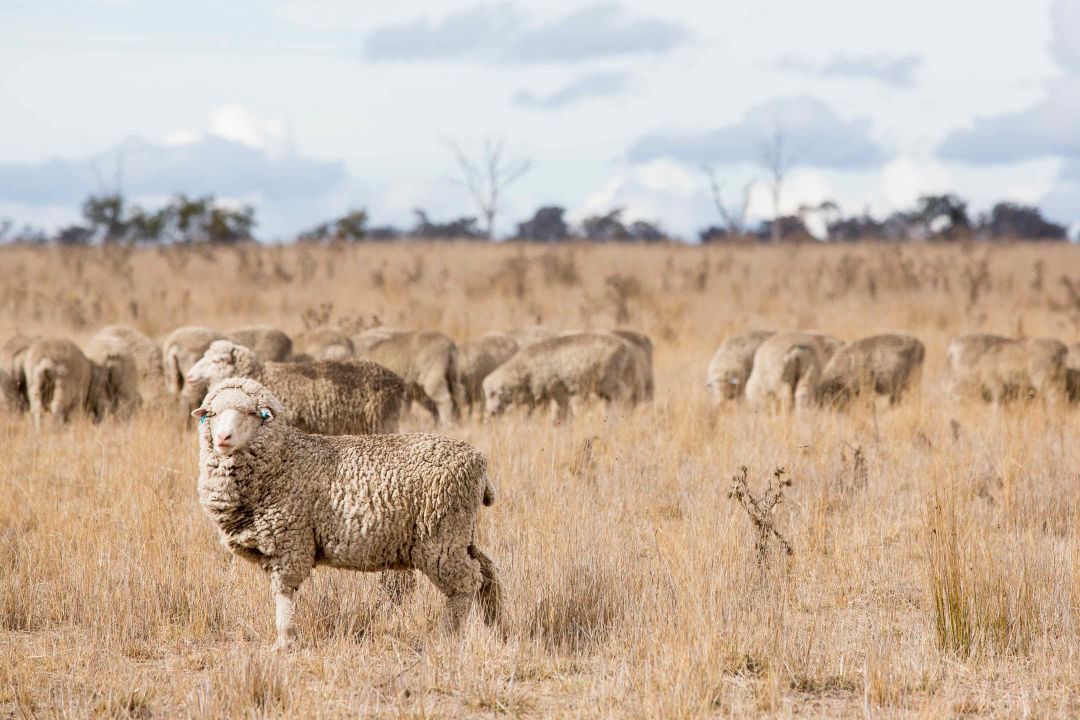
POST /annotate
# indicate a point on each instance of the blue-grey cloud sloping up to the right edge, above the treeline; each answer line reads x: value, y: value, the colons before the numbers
x: 1048, y: 129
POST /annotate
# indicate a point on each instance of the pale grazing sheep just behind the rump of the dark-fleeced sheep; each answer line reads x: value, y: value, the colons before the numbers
x: 427, y: 362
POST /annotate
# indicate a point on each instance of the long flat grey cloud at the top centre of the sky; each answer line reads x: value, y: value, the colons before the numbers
x: 503, y: 33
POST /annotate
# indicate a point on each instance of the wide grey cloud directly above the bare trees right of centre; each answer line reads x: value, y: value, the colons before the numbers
x: 813, y: 135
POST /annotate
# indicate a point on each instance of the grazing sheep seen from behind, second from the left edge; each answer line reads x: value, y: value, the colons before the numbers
x: 61, y: 381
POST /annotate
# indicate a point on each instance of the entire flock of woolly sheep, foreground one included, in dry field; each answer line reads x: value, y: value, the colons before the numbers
x: 301, y: 463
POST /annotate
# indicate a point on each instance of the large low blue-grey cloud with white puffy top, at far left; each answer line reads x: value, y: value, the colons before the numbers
x: 237, y: 159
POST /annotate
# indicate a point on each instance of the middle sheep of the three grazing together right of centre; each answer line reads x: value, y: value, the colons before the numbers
x: 786, y: 369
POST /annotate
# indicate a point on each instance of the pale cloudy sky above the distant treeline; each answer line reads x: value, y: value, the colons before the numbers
x: 309, y: 108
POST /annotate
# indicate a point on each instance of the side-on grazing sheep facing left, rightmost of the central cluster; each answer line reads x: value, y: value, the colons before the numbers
x: 578, y: 365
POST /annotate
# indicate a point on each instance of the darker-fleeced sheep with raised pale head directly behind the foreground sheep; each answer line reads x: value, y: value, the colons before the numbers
x: 358, y: 398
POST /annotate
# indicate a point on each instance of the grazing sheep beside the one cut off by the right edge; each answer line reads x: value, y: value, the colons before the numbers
x: 998, y: 370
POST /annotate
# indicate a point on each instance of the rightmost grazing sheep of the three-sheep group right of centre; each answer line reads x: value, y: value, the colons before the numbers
x: 887, y: 365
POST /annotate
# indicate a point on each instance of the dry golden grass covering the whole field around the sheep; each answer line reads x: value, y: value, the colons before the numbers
x: 935, y: 546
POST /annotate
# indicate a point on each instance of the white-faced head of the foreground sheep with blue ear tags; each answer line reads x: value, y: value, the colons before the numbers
x: 234, y: 413
